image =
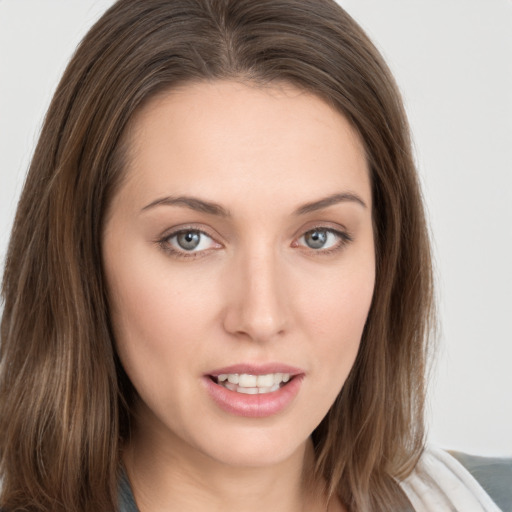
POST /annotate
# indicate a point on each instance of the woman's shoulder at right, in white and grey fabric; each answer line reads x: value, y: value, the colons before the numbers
x: 441, y: 481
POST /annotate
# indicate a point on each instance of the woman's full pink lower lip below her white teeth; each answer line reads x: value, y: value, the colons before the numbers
x: 254, y: 406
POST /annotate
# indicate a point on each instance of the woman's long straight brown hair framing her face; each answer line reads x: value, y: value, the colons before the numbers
x: 64, y: 398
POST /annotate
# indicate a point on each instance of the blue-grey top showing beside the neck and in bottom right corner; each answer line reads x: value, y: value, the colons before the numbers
x: 493, y: 474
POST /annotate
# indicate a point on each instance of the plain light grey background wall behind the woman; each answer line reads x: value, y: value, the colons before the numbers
x: 453, y: 62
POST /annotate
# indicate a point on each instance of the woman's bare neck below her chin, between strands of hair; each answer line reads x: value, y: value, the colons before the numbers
x: 171, y: 476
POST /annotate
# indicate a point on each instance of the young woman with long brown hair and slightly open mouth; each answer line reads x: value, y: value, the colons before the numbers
x: 218, y: 289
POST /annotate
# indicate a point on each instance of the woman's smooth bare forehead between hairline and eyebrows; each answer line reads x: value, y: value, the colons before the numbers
x: 230, y: 138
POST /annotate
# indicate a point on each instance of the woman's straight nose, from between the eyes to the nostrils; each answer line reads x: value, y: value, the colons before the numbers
x: 257, y: 305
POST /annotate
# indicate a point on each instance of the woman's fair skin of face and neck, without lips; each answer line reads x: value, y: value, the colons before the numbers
x: 254, y: 291
